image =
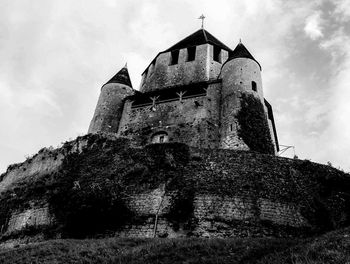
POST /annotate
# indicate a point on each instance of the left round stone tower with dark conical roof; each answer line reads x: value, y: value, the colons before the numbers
x: 111, y: 102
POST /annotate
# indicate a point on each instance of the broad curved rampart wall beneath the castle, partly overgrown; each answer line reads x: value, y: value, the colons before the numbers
x: 169, y: 190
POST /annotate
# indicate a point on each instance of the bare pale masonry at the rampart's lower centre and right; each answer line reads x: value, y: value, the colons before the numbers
x: 213, y: 216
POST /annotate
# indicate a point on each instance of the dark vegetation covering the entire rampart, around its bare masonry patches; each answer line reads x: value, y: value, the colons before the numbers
x: 88, y: 194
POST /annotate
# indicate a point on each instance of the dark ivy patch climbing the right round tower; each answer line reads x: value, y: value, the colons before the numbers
x: 253, y: 126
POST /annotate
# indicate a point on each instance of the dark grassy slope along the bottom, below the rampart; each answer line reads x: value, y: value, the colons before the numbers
x: 333, y: 247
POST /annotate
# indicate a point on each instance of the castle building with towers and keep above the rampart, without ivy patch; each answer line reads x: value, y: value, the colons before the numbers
x: 189, y: 93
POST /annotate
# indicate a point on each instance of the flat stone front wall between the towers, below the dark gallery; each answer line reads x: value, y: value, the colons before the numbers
x: 194, y: 121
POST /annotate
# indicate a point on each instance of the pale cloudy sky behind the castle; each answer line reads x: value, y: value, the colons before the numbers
x: 56, y: 54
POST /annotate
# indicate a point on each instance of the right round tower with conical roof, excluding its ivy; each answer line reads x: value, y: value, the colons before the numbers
x: 240, y: 75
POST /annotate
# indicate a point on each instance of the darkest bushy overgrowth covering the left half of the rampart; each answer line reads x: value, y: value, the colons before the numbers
x: 87, y: 196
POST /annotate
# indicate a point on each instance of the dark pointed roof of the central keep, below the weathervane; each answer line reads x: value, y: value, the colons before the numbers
x: 199, y: 37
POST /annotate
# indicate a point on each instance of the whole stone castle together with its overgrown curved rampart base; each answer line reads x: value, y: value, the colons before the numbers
x: 212, y: 178
